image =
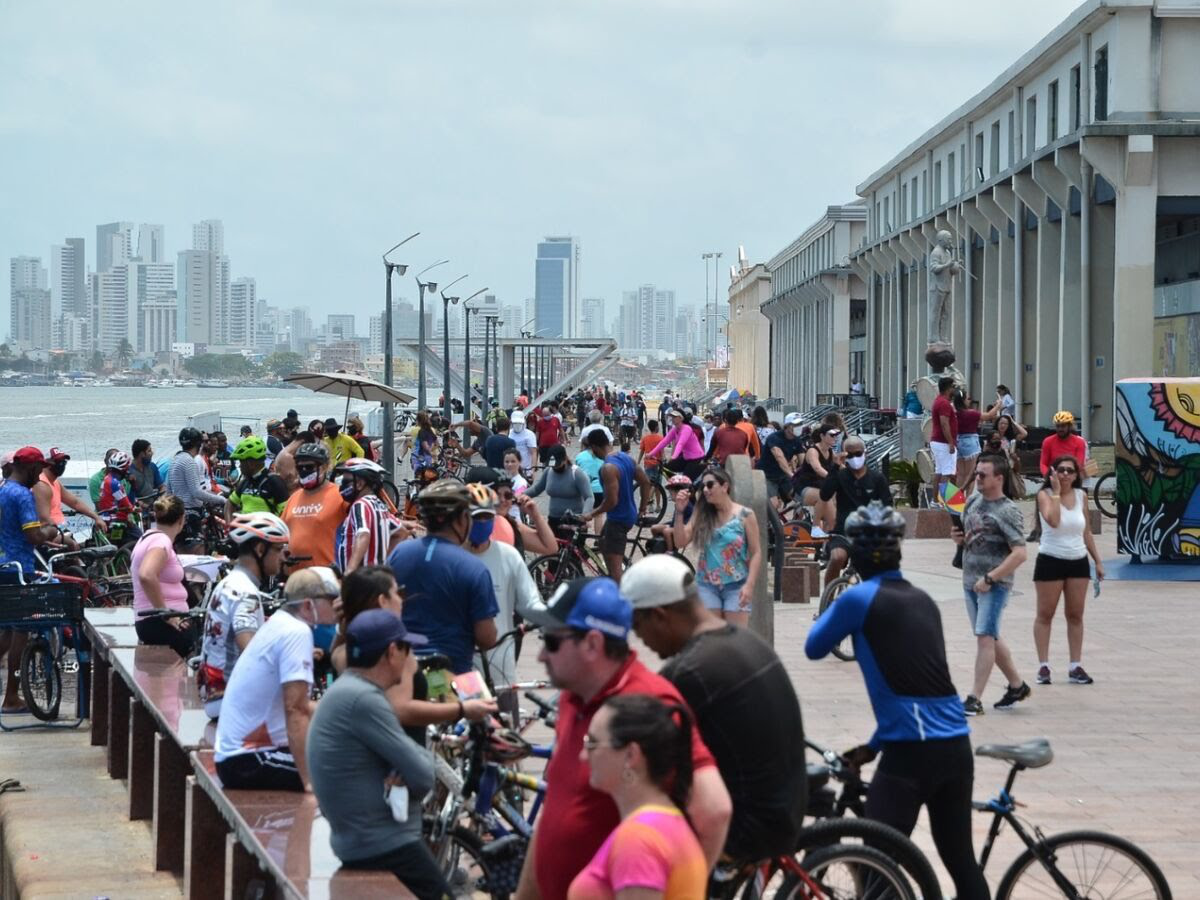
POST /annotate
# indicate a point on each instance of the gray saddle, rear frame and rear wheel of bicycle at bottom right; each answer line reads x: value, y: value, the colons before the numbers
x: 1078, y: 866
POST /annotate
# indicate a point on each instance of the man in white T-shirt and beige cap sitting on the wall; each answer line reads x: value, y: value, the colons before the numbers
x: 266, y: 710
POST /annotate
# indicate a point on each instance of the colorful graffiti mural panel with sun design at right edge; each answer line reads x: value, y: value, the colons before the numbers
x: 1159, y: 467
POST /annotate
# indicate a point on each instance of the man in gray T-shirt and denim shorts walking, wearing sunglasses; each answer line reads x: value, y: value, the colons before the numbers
x: 993, y: 538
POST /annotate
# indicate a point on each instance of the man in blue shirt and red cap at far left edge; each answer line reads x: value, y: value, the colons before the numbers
x: 21, y: 531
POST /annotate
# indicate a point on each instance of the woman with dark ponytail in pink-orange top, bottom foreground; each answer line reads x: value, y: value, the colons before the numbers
x: 639, y: 751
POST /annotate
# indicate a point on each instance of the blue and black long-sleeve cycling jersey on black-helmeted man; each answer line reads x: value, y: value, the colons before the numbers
x: 899, y: 645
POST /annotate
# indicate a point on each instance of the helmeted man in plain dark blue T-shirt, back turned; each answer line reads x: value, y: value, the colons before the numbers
x: 448, y: 592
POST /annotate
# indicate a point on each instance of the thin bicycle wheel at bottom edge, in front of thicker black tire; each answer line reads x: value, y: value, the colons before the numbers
x: 849, y: 872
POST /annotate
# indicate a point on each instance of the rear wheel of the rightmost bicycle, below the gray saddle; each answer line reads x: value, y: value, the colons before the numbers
x: 1096, y: 865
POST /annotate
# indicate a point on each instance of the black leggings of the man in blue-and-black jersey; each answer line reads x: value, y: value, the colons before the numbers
x: 939, y: 776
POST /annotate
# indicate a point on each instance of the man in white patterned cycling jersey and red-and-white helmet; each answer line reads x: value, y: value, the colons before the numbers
x: 236, y: 609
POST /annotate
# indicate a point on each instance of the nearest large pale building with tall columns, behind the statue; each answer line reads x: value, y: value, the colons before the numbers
x: 1072, y: 193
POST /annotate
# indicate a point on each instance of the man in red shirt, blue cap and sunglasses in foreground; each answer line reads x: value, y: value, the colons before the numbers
x: 587, y: 656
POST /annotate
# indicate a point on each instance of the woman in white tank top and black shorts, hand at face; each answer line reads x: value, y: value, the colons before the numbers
x: 1063, y: 568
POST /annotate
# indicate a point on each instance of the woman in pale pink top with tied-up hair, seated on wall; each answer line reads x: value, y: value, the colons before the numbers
x: 159, y: 580
